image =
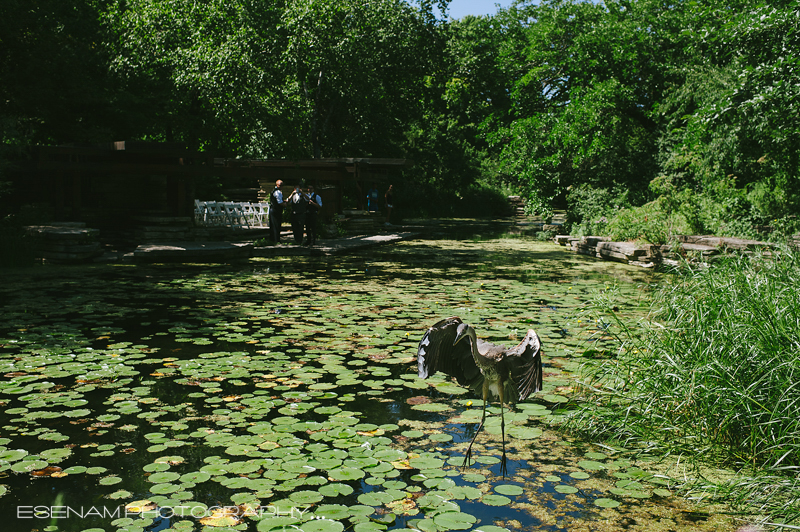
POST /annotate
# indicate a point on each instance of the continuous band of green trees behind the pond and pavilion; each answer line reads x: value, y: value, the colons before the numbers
x: 553, y: 99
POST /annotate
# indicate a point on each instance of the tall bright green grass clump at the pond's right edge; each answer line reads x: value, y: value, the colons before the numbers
x: 715, y: 373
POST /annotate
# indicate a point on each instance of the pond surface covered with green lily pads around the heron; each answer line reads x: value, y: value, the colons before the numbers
x: 282, y: 394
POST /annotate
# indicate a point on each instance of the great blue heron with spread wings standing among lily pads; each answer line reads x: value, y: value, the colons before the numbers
x: 509, y: 374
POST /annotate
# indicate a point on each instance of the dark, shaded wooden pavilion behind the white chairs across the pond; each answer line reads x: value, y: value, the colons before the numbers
x: 110, y: 184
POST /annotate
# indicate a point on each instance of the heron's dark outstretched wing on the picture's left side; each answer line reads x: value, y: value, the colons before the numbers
x: 436, y: 352
